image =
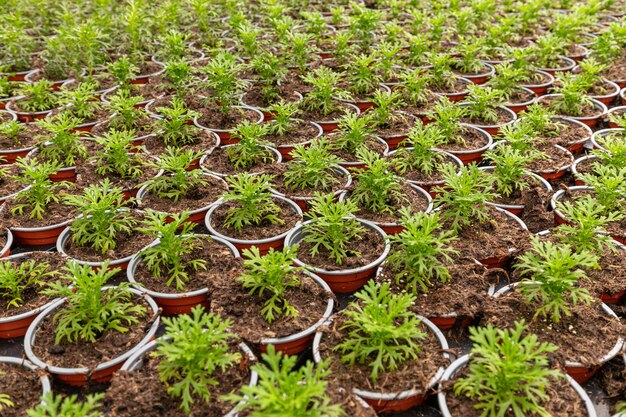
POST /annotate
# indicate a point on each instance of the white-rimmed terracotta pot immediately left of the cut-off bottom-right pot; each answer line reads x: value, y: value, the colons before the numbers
x: 396, y: 401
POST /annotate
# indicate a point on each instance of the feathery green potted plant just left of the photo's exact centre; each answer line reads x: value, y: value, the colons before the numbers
x: 249, y: 215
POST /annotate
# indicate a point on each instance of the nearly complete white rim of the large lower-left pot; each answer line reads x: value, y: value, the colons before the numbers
x: 30, y: 338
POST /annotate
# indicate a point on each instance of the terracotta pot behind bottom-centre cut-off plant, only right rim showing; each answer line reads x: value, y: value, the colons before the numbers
x: 299, y: 342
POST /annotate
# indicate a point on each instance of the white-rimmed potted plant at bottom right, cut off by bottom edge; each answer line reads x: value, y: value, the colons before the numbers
x: 509, y: 370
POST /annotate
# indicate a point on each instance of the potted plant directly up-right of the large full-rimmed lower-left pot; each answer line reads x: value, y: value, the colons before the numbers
x: 178, y: 269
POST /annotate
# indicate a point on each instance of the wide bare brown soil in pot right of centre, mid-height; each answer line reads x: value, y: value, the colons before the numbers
x: 499, y: 237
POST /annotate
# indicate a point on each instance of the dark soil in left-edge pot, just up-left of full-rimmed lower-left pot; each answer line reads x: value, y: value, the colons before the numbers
x: 31, y: 297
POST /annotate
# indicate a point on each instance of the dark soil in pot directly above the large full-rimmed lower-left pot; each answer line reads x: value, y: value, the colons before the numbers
x: 127, y: 244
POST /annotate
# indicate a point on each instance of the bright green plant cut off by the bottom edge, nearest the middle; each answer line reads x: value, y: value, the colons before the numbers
x: 310, y: 386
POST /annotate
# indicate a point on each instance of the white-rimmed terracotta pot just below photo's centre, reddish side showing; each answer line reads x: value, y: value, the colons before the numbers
x: 347, y: 280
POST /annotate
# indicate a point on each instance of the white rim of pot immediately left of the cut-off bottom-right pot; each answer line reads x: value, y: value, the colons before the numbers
x: 365, y: 394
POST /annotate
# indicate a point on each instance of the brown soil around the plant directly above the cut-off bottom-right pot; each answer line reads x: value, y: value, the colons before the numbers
x: 577, y: 336
